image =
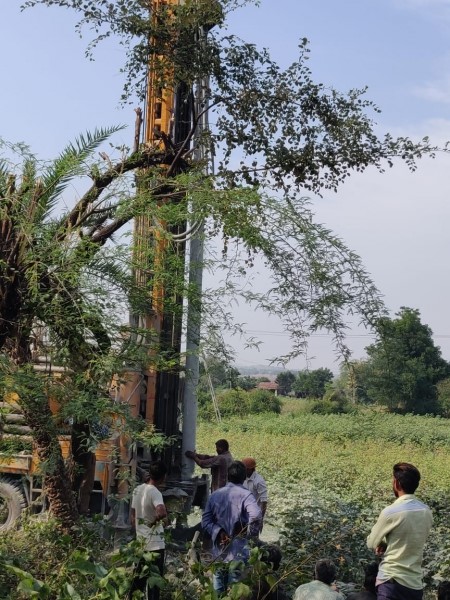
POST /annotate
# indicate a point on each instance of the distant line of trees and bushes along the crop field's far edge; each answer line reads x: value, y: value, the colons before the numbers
x: 404, y: 372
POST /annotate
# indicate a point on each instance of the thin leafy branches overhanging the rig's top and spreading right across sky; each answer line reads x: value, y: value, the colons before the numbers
x: 277, y: 134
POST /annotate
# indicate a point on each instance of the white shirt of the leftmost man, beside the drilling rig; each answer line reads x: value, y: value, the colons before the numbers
x: 146, y: 497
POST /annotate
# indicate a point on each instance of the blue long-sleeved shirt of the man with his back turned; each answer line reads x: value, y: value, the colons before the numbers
x: 231, y: 508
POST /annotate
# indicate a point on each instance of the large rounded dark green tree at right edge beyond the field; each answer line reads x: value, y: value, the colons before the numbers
x: 405, y: 365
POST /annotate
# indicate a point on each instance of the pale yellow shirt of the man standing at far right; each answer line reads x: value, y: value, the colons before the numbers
x: 404, y: 526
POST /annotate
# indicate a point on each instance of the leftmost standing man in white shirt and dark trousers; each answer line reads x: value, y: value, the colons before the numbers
x: 147, y: 514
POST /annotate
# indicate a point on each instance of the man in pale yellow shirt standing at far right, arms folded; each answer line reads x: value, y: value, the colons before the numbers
x: 399, y: 537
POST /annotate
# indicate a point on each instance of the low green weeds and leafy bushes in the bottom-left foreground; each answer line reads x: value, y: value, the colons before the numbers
x: 38, y: 562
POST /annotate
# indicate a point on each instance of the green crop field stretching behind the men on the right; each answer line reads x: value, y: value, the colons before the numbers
x: 329, y: 476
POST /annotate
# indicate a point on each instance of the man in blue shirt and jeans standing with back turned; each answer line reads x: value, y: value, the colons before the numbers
x: 231, y: 517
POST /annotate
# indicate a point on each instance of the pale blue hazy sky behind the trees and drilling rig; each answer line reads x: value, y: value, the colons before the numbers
x: 400, y: 49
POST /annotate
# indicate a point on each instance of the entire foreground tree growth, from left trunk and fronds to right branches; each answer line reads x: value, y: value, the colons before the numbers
x: 278, y: 134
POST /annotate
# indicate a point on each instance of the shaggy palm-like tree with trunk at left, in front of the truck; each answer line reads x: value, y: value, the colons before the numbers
x: 58, y: 273
